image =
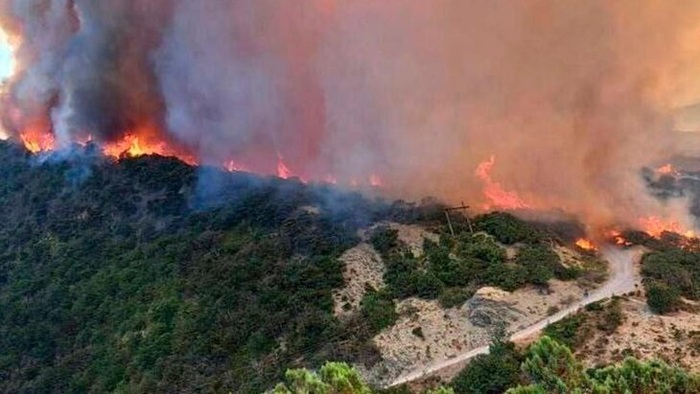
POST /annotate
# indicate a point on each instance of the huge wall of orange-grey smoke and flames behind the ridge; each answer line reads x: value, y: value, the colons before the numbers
x: 562, y: 102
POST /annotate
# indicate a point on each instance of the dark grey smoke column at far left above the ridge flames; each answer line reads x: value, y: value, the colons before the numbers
x: 86, y: 66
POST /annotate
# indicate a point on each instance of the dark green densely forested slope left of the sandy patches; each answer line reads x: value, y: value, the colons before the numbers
x: 148, y: 275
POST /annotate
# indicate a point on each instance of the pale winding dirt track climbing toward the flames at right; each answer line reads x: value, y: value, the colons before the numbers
x: 622, y: 279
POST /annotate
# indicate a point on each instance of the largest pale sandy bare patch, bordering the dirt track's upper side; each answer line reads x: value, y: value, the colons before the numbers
x: 427, y: 335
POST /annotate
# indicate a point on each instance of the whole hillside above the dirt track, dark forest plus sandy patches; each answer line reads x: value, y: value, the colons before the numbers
x: 149, y: 275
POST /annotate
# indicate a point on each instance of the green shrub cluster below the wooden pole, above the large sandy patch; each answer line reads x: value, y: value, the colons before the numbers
x: 465, y: 261
